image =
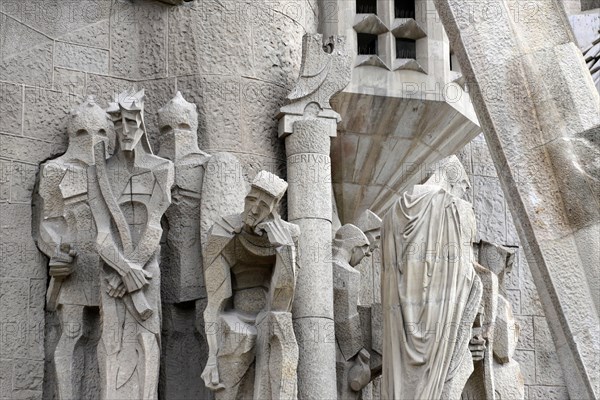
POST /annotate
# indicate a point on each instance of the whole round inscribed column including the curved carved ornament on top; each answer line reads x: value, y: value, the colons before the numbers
x: 308, y: 123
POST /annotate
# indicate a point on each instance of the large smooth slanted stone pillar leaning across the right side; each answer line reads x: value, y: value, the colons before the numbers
x: 540, y: 114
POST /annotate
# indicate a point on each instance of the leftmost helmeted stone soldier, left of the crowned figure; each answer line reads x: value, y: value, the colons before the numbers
x: 67, y: 236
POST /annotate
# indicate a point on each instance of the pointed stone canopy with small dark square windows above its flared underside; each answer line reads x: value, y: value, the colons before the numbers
x: 398, y: 115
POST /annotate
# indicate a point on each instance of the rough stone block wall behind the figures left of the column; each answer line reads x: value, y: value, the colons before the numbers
x: 237, y: 60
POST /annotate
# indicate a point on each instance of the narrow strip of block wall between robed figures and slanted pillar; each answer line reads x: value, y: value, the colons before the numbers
x: 535, y: 352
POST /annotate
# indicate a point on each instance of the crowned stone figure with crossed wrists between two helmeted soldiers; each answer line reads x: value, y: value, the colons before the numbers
x: 129, y: 193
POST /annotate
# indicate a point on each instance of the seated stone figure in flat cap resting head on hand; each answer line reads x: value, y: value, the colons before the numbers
x: 250, y: 276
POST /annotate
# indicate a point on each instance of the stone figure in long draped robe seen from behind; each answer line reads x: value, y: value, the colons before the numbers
x: 430, y: 290
